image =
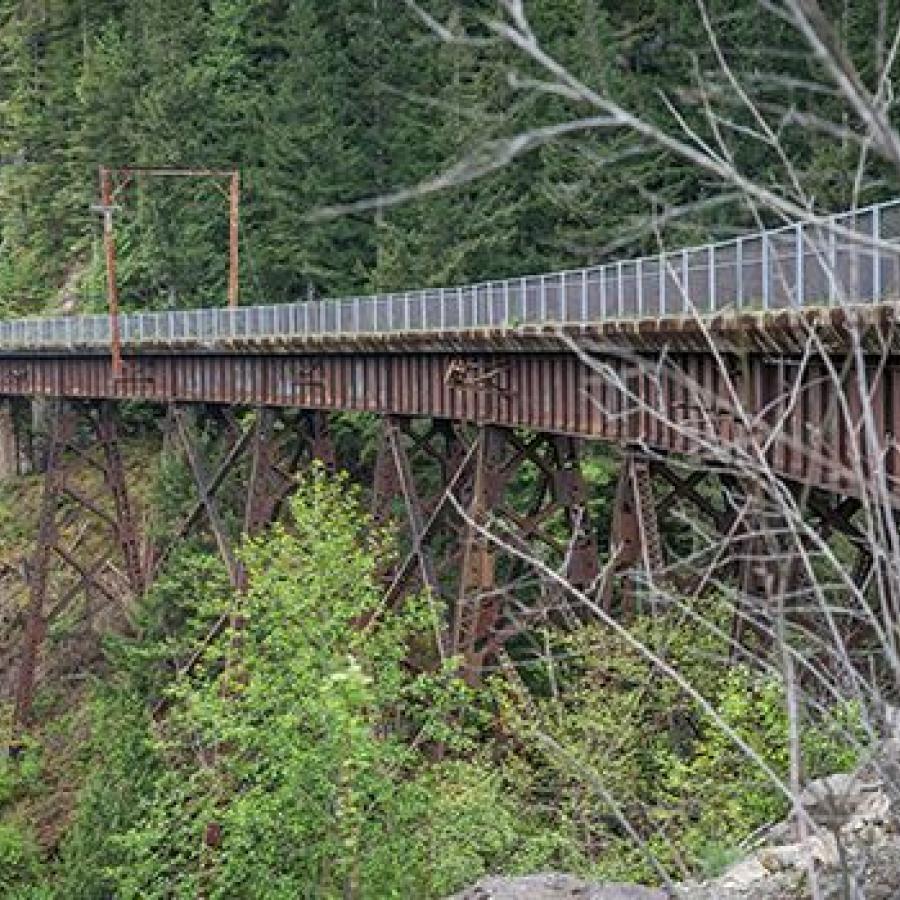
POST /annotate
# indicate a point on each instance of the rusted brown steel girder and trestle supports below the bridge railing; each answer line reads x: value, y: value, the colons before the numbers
x: 478, y: 406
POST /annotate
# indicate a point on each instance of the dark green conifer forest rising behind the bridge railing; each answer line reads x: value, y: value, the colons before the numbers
x: 318, y: 103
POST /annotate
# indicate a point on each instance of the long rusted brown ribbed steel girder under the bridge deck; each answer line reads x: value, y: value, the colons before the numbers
x: 685, y: 406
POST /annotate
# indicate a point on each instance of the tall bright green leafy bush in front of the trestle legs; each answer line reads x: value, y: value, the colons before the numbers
x: 312, y: 746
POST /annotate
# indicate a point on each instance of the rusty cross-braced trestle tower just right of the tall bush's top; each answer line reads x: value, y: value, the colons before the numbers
x: 450, y: 493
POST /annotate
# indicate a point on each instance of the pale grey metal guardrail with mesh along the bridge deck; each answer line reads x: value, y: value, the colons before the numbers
x: 851, y: 257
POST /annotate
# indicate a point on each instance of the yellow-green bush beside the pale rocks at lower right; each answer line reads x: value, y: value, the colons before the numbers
x: 618, y: 741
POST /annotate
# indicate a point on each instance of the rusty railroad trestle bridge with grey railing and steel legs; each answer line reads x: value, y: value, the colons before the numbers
x: 771, y: 358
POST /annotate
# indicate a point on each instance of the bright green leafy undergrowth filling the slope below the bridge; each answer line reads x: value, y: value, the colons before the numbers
x: 305, y: 756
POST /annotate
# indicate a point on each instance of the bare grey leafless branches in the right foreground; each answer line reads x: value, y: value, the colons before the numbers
x: 809, y: 592
